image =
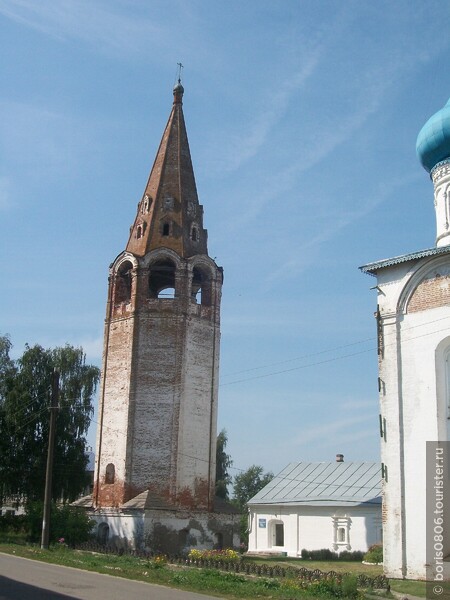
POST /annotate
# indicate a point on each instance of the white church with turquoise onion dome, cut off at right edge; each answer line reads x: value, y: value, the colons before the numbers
x: 413, y: 319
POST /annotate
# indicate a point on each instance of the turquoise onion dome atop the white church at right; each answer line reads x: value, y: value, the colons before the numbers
x: 433, y: 141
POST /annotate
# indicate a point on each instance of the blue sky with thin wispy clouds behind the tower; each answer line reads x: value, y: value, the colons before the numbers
x: 302, y: 120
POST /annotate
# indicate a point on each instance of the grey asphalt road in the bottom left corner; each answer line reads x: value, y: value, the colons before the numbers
x: 25, y: 579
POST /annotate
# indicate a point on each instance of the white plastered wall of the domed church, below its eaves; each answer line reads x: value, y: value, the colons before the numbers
x: 409, y: 406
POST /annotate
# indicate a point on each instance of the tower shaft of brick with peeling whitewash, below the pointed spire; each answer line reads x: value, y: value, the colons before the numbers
x: 159, y: 397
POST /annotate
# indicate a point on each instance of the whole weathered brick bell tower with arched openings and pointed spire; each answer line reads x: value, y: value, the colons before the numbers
x: 158, y: 397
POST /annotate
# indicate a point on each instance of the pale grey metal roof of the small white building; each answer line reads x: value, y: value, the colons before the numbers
x: 324, y: 484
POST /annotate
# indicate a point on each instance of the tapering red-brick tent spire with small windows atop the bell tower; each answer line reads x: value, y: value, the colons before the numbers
x: 169, y: 214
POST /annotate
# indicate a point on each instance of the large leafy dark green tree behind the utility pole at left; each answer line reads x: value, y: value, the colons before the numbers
x: 25, y: 393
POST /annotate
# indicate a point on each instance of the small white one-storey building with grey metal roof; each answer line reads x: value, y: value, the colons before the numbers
x: 311, y: 506
